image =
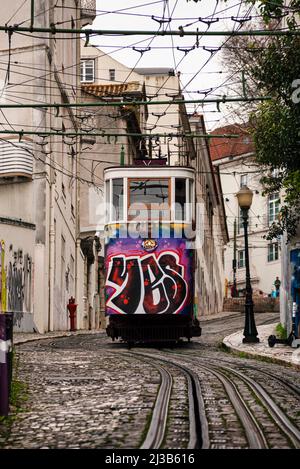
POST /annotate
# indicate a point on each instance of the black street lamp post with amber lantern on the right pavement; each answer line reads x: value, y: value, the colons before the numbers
x: 244, y: 197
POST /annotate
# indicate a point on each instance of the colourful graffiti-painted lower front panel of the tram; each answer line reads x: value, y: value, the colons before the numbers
x: 144, y: 283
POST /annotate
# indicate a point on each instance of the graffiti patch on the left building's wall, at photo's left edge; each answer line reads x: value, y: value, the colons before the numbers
x: 16, y: 279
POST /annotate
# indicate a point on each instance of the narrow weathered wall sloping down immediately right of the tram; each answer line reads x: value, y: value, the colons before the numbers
x: 211, y: 228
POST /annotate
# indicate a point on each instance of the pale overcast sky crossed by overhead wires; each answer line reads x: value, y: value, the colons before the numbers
x: 200, y: 69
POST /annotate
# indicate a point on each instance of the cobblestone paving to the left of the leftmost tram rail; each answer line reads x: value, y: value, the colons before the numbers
x: 103, y: 404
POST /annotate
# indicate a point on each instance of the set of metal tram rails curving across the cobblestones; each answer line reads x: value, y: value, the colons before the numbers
x: 198, y: 424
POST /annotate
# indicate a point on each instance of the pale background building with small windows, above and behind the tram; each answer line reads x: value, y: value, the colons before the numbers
x: 159, y: 84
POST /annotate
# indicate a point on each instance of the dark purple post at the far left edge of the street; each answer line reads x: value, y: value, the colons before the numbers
x: 6, y: 335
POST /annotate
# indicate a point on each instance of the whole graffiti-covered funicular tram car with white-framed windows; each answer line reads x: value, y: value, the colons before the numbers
x: 149, y: 261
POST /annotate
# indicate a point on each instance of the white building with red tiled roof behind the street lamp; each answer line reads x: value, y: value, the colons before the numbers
x: 235, y: 160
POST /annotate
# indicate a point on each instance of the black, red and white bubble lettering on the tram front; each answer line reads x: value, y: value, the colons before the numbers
x: 147, y: 284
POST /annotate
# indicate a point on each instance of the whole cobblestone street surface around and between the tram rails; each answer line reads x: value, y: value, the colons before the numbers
x: 86, y: 392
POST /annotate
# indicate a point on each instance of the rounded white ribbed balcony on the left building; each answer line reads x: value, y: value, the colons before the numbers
x: 16, y: 159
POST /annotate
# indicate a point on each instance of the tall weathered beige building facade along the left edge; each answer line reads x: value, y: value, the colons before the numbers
x: 40, y: 250
